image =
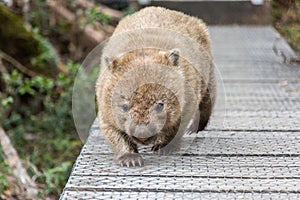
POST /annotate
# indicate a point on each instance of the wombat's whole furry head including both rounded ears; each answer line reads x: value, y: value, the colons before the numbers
x: 146, y: 96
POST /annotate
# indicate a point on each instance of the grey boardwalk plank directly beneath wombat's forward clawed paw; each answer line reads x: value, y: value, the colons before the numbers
x: 180, y: 161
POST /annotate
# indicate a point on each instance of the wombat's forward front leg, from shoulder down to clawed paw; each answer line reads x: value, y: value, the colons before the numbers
x: 125, y: 150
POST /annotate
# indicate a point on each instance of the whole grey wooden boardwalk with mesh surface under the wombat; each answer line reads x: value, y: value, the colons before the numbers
x: 250, y: 150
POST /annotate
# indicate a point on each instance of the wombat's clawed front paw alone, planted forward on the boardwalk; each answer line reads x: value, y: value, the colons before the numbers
x: 130, y: 160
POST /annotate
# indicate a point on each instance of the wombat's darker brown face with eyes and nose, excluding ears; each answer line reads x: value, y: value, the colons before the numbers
x: 150, y: 109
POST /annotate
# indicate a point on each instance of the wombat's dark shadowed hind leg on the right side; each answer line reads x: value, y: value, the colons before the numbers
x: 205, y: 110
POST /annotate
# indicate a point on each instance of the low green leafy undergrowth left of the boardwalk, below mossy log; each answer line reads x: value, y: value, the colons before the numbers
x: 40, y: 124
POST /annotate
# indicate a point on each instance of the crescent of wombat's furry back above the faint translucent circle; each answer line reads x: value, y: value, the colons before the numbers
x: 157, y: 17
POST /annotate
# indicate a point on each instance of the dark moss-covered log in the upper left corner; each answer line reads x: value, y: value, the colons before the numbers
x: 26, y: 46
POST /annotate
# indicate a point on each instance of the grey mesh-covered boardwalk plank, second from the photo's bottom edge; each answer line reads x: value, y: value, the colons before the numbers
x: 181, y: 184
